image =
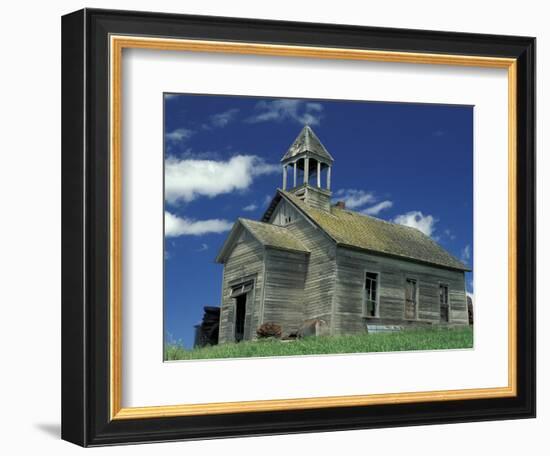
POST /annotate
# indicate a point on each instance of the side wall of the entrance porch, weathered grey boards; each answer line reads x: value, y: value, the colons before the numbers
x: 284, y: 289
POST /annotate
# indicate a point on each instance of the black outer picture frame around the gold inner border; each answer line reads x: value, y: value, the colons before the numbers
x: 85, y: 228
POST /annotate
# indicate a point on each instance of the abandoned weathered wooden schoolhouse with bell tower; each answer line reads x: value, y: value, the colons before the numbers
x: 308, y: 260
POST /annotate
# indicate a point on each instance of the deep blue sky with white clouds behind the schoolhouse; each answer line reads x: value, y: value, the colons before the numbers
x: 407, y: 163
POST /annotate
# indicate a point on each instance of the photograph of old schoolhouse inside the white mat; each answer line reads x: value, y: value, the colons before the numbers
x: 300, y: 227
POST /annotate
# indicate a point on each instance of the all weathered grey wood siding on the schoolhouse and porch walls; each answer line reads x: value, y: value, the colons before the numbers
x: 329, y: 284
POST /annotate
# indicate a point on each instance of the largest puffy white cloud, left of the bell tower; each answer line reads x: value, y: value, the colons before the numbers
x: 188, y: 179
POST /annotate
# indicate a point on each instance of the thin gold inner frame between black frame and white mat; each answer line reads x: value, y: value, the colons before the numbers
x: 117, y: 44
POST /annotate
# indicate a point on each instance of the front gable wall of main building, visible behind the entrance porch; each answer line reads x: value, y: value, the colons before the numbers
x: 319, y: 280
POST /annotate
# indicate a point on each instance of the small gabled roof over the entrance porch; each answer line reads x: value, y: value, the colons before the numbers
x: 272, y: 236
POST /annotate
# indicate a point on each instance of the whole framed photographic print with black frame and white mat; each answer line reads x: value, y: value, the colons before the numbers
x: 275, y: 227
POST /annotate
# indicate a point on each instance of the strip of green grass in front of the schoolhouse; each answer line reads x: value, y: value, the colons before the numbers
x: 425, y: 339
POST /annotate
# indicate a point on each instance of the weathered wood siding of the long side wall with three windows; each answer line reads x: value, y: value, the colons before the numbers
x: 351, y: 266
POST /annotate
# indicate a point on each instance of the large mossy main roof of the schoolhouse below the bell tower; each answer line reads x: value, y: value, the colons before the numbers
x: 351, y: 229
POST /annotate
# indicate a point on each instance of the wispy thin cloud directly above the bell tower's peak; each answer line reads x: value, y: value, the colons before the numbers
x: 305, y: 113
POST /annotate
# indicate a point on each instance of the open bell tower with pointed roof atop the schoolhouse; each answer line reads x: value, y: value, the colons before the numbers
x: 307, y: 169
